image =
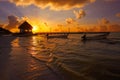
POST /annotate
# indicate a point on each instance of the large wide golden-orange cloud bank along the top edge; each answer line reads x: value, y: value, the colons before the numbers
x: 54, y: 4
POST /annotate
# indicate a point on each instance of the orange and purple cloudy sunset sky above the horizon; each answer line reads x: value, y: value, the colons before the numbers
x: 58, y: 15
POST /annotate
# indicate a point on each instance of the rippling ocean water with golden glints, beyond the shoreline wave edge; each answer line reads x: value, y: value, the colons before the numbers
x: 72, y: 58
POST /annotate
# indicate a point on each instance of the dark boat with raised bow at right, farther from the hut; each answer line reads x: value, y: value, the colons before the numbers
x: 96, y: 37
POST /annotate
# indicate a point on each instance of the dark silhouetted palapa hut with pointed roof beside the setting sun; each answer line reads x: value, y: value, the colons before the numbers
x: 25, y: 27
